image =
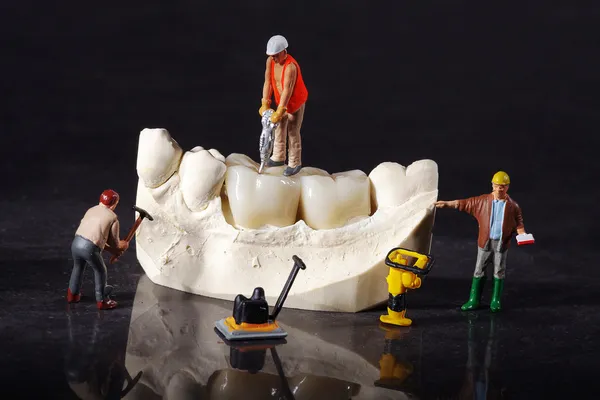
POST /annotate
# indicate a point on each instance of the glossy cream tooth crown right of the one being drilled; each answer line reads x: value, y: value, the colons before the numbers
x: 329, y: 202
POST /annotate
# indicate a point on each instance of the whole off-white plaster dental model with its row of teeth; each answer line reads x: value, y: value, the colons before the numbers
x: 221, y: 228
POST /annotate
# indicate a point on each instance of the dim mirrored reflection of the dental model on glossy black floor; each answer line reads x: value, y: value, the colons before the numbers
x: 181, y: 357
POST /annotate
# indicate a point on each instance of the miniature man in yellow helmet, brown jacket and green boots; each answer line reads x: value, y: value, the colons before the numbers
x: 499, y: 217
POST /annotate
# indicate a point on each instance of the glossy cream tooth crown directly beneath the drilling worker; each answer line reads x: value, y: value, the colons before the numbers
x: 258, y: 200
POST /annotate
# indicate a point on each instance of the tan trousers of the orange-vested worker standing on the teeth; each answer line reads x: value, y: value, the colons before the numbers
x: 289, y: 126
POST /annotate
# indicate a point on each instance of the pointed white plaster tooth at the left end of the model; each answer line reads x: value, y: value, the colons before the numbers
x: 158, y: 157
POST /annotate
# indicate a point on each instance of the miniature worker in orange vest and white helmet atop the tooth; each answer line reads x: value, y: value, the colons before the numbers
x: 283, y: 76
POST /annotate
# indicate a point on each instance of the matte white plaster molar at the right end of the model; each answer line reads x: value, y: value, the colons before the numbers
x: 392, y: 184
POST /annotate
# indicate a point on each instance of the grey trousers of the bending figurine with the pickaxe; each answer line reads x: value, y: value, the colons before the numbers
x: 85, y: 252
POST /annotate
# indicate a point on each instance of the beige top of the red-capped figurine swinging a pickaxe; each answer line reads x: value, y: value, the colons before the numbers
x: 101, y: 226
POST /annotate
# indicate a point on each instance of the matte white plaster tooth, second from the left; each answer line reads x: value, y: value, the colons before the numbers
x: 202, y: 174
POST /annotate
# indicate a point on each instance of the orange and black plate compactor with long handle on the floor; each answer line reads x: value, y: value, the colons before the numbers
x: 251, y: 319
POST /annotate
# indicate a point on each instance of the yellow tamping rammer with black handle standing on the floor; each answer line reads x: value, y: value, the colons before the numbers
x: 403, y: 277
